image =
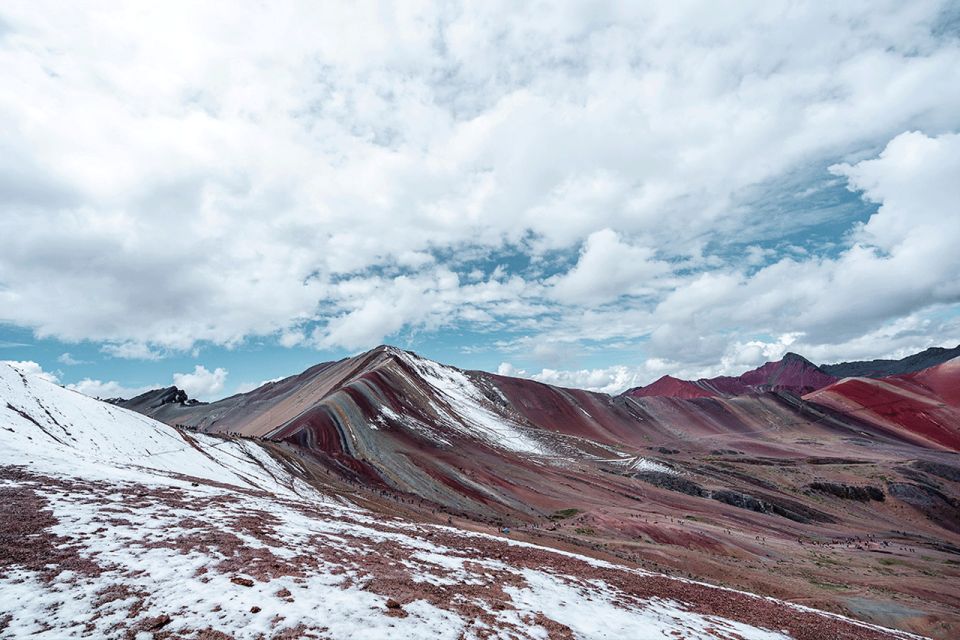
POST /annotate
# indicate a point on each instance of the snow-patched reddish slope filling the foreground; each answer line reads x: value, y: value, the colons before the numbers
x: 114, y: 525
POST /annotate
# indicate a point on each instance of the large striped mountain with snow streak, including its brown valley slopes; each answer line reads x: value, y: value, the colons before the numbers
x: 743, y: 490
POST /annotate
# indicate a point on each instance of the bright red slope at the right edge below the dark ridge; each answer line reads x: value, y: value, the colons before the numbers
x: 921, y: 407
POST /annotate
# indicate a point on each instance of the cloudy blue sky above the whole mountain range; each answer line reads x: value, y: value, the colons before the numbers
x: 590, y: 194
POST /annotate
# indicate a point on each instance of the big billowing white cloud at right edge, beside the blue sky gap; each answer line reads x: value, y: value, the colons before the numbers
x: 904, y: 258
